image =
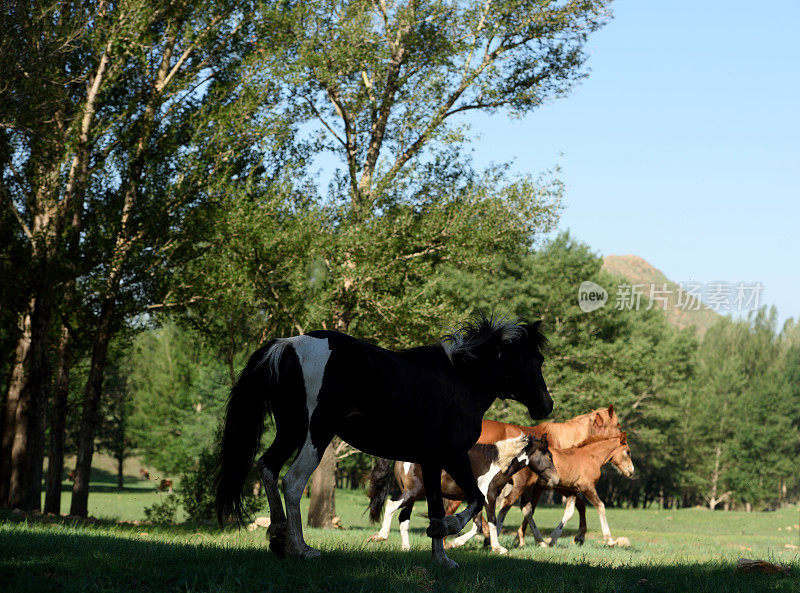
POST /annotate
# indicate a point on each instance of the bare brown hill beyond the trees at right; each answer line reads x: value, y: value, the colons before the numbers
x: 638, y: 271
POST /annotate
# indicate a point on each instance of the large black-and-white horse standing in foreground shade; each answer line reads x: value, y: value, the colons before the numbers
x: 326, y: 383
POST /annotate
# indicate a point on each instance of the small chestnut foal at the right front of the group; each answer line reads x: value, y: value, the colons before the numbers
x: 579, y: 469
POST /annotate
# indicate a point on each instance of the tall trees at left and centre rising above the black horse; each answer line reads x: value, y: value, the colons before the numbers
x: 160, y: 157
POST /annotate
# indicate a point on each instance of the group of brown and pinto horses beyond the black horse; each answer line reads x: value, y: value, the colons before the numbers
x: 566, y: 457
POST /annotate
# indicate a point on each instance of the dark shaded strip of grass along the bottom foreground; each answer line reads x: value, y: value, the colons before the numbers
x: 54, y: 559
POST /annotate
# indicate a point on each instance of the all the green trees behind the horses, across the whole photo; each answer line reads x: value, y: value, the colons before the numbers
x: 162, y: 216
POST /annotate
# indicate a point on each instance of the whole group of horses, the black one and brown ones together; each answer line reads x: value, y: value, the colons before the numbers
x: 423, y: 408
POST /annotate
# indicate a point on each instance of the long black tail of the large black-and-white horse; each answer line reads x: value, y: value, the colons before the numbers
x: 248, y: 406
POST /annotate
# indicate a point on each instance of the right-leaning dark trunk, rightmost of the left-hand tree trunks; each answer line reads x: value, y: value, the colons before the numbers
x: 91, y: 402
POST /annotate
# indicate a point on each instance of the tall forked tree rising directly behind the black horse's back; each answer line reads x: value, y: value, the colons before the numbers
x: 383, y: 83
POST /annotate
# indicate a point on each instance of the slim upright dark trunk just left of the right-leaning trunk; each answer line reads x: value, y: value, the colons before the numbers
x: 58, y: 417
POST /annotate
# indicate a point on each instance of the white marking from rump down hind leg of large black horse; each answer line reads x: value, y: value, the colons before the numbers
x: 313, y: 354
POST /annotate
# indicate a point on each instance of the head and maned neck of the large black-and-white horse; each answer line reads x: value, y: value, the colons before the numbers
x: 506, y: 359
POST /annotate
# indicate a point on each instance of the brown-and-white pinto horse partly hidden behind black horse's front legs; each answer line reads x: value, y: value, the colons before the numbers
x: 493, y: 465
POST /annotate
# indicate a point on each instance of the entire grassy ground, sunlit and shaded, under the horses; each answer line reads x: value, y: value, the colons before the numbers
x: 673, y: 550
